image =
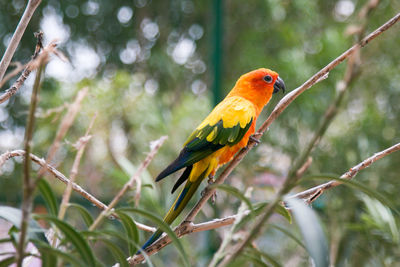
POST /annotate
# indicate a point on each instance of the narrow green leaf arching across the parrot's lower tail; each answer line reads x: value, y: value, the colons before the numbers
x: 163, y: 226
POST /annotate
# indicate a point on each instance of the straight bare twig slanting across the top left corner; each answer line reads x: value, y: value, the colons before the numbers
x: 16, y: 38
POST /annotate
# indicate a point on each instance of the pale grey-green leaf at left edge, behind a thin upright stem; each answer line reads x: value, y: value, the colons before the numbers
x: 14, y: 216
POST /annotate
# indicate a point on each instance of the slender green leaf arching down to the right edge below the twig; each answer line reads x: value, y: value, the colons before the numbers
x: 357, y: 185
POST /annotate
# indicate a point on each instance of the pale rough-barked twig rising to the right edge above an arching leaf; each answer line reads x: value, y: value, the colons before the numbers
x: 313, y: 193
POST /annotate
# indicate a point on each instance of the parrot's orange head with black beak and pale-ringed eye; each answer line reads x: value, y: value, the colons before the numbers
x: 258, y: 86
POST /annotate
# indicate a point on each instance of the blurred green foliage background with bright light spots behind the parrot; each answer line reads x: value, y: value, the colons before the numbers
x: 148, y: 66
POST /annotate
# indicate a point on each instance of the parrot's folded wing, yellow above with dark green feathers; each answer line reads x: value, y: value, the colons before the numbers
x: 224, y: 126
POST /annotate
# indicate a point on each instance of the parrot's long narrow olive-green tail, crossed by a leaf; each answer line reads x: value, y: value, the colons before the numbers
x: 184, y: 196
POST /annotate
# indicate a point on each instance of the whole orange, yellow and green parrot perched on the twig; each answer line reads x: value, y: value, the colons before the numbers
x: 216, y: 140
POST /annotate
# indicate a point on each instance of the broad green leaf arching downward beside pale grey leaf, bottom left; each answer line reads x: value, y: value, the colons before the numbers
x: 70, y: 234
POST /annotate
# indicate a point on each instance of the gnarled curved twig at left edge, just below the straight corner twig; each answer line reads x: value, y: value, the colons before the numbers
x: 24, y: 75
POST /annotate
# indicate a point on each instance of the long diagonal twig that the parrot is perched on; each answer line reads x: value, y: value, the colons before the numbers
x: 280, y: 107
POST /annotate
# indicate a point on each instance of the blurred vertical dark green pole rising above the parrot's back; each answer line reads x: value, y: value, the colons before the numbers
x: 217, y: 51
